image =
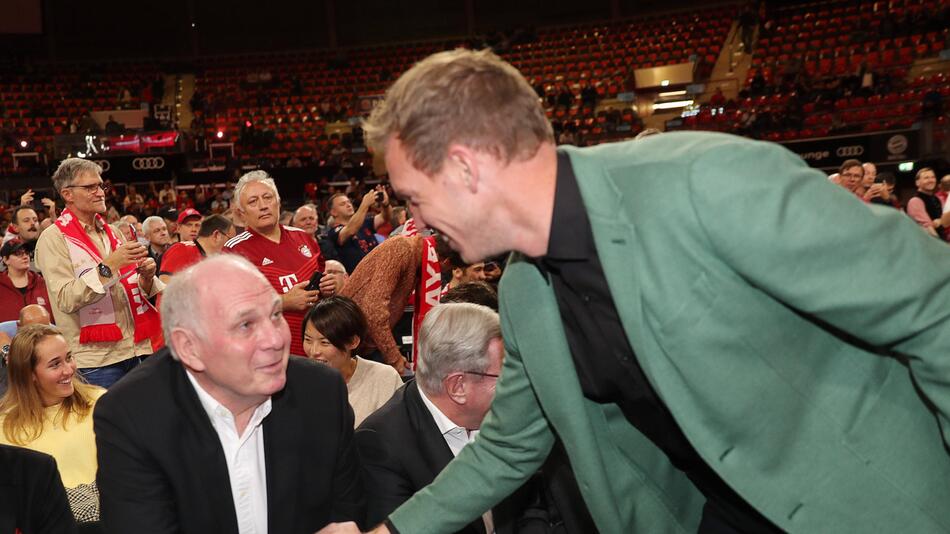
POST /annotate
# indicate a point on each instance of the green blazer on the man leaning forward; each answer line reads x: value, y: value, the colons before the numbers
x: 800, y: 337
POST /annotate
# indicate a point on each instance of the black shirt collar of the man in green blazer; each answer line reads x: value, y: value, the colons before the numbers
x: 570, y: 237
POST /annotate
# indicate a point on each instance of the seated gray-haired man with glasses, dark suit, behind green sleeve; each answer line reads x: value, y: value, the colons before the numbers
x: 405, y: 444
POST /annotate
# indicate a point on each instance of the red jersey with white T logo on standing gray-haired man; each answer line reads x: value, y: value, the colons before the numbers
x: 285, y: 265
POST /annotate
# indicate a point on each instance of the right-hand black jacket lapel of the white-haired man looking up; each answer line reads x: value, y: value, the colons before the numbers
x: 281, y: 432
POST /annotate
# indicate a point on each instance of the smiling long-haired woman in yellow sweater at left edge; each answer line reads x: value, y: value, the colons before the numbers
x: 48, y: 408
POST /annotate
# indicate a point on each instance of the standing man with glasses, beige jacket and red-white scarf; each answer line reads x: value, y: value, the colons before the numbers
x: 98, y: 282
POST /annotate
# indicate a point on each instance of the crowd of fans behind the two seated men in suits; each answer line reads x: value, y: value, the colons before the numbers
x: 94, y: 270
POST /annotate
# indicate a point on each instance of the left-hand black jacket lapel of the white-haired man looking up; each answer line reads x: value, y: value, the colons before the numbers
x: 205, y: 451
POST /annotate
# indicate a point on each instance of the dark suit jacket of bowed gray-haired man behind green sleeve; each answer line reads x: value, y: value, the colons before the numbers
x: 402, y: 450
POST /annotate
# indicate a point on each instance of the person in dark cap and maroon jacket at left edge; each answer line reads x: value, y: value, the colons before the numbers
x: 19, y: 286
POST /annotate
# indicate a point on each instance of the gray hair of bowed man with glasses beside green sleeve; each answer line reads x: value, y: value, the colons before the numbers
x: 454, y: 338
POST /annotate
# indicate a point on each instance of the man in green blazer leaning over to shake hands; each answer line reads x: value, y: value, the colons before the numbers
x: 723, y: 340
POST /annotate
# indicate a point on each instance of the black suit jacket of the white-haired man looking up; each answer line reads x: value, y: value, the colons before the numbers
x: 162, y: 468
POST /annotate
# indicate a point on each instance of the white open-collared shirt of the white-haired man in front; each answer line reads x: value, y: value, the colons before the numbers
x: 245, y: 458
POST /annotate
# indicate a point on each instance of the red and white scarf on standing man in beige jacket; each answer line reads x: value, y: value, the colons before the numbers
x: 97, y: 320
